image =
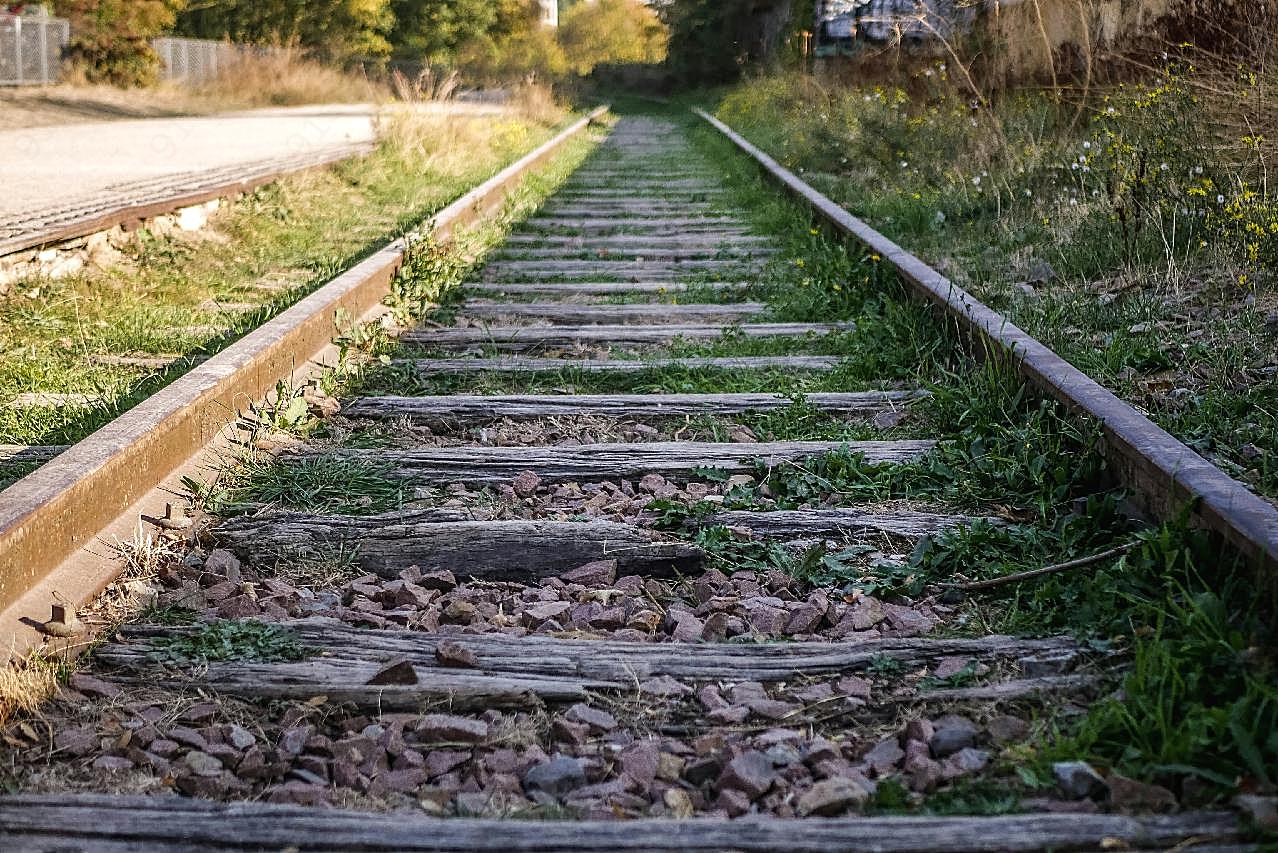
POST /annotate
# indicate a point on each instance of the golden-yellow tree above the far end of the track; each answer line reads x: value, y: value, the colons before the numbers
x: 612, y: 33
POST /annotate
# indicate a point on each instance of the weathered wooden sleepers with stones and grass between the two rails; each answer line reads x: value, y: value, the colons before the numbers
x: 498, y: 589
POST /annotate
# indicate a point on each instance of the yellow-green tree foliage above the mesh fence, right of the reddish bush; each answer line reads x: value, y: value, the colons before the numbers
x: 334, y: 30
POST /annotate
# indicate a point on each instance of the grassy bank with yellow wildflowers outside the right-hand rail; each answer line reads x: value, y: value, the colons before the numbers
x: 1170, y: 318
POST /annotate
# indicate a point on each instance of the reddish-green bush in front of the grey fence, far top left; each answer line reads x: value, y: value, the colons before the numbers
x: 112, y: 39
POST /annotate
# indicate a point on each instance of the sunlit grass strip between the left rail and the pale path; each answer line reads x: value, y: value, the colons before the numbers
x: 300, y: 231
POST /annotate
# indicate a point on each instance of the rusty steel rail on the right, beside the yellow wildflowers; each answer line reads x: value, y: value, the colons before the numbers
x: 1164, y: 473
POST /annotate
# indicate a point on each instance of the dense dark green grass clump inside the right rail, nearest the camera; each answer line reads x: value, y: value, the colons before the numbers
x: 1201, y: 698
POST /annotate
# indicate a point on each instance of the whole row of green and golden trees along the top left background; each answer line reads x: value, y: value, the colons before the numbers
x: 486, y: 39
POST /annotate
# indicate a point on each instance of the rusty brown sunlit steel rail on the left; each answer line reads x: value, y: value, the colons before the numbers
x: 53, y: 515
